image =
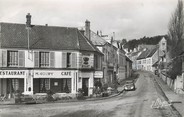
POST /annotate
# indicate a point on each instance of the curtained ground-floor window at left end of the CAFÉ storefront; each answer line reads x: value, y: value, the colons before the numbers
x: 44, y: 85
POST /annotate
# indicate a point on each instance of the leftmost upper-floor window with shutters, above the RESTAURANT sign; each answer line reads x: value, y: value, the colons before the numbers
x: 12, y: 58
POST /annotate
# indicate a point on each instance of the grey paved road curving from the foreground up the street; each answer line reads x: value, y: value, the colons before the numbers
x: 129, y: 104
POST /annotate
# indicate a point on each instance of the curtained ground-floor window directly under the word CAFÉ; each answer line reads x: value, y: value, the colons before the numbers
x: 66, y: 85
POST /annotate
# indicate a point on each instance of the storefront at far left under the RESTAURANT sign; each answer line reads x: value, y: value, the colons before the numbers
x: 12, y: 81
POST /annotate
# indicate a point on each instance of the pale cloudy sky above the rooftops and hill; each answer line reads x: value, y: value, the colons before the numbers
x: 129, y: 19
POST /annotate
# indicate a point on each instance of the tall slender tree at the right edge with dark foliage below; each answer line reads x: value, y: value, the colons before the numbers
x: 175, y: 34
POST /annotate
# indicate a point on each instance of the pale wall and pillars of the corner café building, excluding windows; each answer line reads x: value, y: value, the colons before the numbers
x: 29, y: 59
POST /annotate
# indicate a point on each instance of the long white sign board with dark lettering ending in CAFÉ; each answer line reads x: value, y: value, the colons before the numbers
x: 53, y: 74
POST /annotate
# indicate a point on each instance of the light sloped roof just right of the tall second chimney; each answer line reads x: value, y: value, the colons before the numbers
x: 97, y: 40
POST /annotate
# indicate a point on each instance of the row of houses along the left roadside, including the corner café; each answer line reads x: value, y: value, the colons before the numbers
x: 37, y: 58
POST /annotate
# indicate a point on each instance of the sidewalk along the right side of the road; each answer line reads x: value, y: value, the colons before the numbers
x: 176, y: 99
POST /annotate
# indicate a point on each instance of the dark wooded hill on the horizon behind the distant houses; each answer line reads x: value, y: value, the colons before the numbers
x: 145, y: 40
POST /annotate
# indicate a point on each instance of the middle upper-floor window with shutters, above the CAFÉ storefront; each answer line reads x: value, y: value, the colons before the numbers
x: 44, y: 59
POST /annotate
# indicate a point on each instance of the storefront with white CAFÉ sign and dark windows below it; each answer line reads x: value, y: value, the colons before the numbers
x: 58, y: 81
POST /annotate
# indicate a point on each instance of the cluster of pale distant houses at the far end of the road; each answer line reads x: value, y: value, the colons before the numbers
x: 148, y: 57
